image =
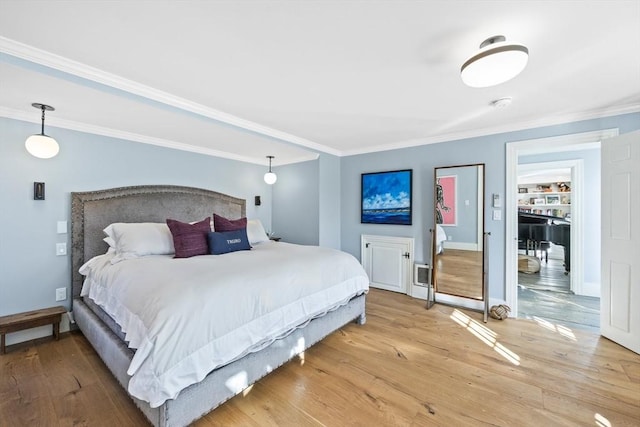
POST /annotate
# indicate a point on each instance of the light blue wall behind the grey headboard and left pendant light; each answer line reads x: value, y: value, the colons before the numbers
x: 29, y: 269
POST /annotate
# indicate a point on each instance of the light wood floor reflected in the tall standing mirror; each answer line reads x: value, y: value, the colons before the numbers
x: 459, y: 272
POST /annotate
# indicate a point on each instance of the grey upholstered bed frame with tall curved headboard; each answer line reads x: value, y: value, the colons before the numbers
x: 92, y: 211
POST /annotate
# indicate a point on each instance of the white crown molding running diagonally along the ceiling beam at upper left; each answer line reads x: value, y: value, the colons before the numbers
x: 84, y: 71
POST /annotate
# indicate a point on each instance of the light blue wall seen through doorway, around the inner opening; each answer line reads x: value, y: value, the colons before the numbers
x: 592, y: 241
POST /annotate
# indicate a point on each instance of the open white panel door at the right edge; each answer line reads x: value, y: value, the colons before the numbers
x: 620, y: 300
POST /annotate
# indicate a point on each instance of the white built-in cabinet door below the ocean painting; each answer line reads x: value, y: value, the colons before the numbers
x: 388, y: 261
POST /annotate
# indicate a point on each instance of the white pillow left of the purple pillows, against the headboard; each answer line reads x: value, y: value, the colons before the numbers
x: 133, y: 240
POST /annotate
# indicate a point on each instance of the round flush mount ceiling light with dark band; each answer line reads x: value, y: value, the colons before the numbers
x: 497, y: 62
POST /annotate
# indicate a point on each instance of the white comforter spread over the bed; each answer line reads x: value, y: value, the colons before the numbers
x: 185, y: 317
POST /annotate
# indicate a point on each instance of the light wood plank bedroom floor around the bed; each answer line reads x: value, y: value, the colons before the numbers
x: 406, y: 367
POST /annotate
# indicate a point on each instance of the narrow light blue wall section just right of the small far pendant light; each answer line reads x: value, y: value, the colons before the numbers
x: 296, y: 203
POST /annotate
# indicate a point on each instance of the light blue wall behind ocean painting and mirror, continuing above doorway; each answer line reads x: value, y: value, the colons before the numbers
x: 486, y: 149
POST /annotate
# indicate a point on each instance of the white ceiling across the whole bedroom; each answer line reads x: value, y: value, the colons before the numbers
x: 246, y: 79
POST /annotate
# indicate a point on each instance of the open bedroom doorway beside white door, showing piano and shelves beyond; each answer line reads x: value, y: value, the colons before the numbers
x: 548, y: 288
